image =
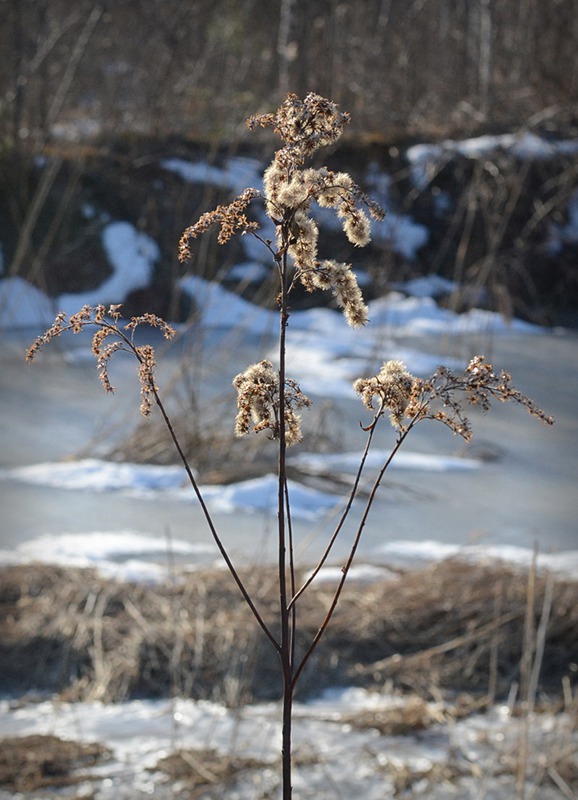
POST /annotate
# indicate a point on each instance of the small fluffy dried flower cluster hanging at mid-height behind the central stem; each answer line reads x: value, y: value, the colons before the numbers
x: 258, y: 403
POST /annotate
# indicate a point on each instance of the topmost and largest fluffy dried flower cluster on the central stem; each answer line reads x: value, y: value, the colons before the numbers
x: 289, y: 191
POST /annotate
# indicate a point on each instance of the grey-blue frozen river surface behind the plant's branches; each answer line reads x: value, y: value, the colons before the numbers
x: 524, y: 494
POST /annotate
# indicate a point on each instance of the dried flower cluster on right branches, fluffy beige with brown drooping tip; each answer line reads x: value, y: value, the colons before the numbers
x: 413, y: 399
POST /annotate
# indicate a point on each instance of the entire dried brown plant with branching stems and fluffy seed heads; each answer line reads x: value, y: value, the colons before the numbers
x: 270, y: 400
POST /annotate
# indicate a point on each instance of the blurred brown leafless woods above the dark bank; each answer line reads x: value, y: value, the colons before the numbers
x: 424, y: 68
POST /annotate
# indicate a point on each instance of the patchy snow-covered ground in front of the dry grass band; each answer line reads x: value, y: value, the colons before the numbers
x: 476, y: 757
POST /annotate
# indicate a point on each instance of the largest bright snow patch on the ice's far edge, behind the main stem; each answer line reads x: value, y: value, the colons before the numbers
x: 325, y: 355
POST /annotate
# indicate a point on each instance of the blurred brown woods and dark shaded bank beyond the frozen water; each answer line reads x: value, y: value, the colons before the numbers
x: 95, y: 94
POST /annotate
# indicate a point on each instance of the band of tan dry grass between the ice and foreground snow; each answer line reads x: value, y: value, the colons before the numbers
x: 452, y: 628
